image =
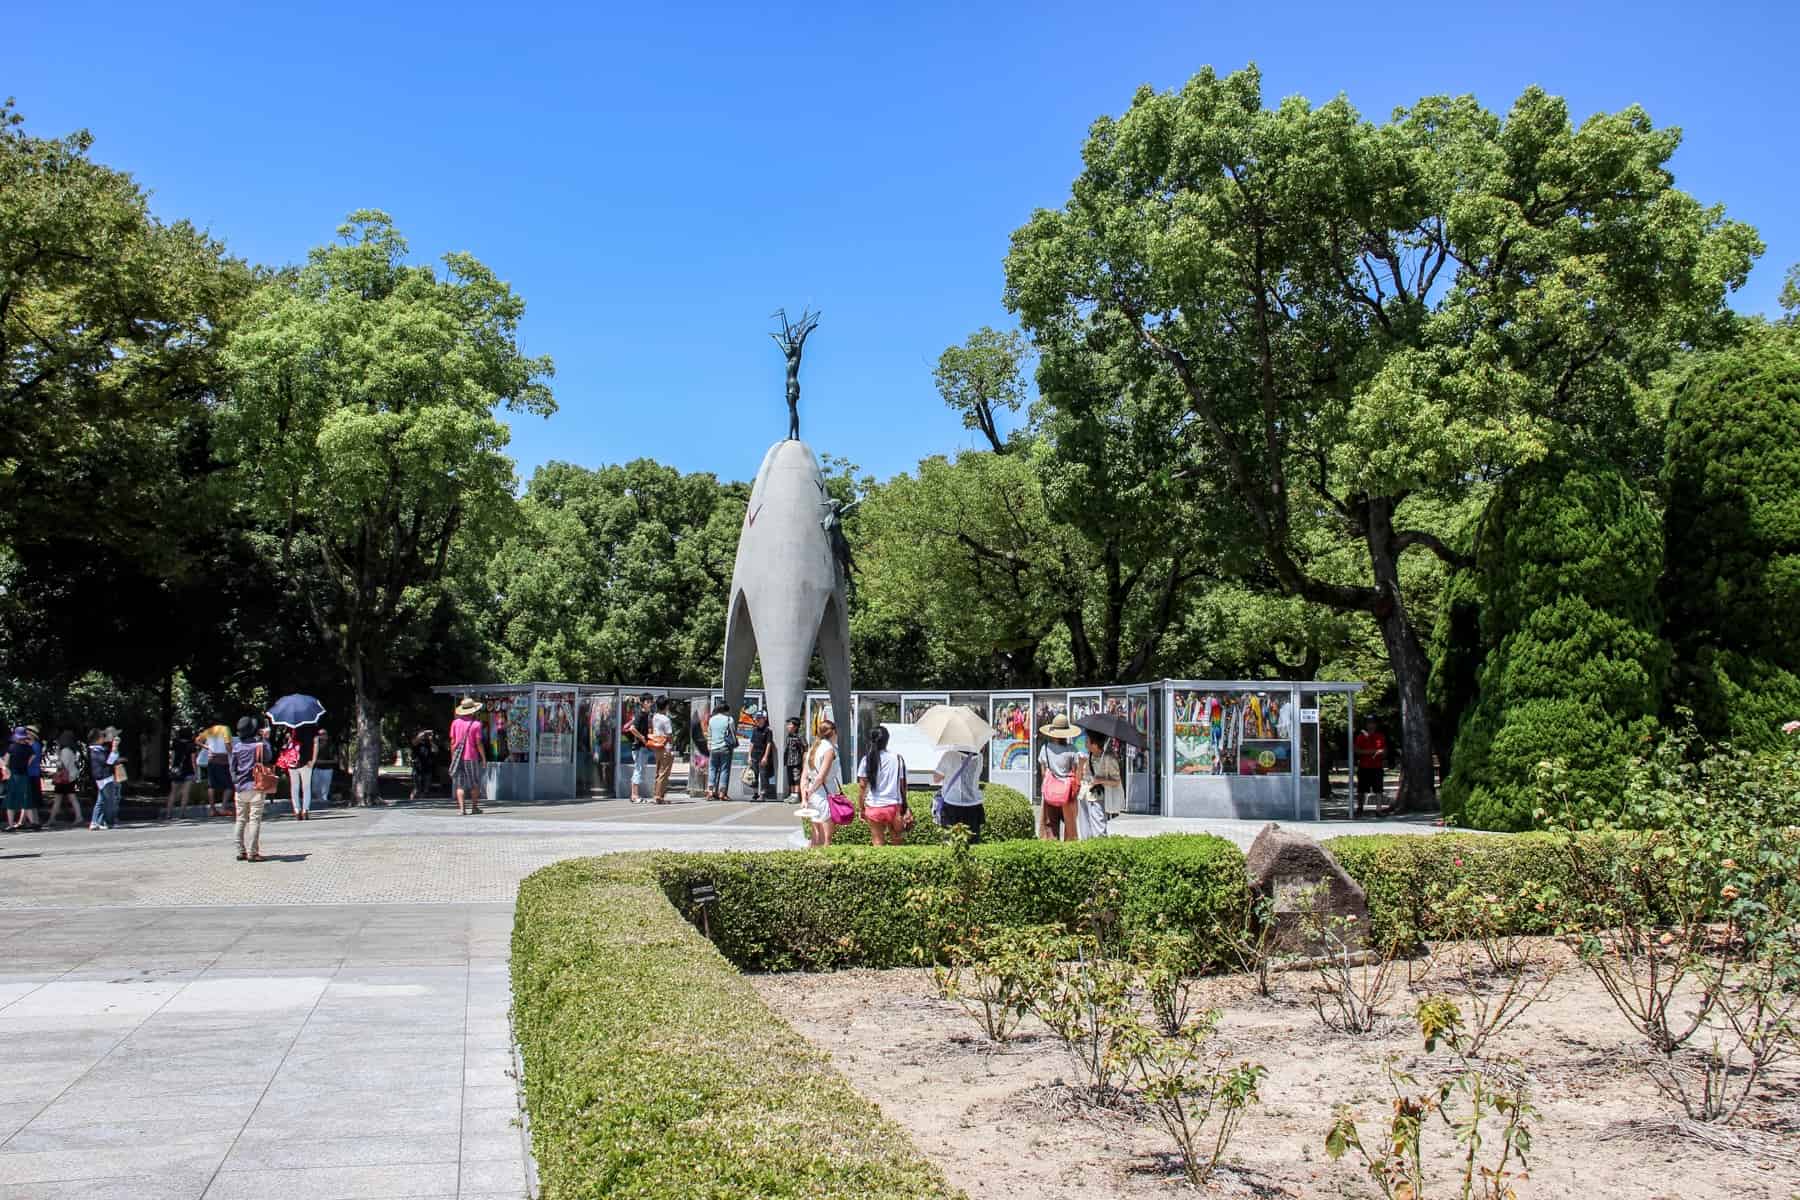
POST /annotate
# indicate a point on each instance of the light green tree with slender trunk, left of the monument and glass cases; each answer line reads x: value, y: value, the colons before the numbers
x: 364, y: 415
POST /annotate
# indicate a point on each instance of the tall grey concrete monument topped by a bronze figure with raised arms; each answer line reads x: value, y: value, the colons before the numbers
x: 789, y: 587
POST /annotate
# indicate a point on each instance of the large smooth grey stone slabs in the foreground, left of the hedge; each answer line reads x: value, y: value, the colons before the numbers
x: 307, y: 1075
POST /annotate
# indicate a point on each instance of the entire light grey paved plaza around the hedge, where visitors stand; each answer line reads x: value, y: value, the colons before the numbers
x: 330, y: 1025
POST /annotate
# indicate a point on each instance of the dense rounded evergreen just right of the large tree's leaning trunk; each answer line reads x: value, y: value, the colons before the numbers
x: 1574, y: 661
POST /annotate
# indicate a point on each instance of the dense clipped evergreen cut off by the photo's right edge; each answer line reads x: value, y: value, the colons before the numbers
x: 1732, y: 528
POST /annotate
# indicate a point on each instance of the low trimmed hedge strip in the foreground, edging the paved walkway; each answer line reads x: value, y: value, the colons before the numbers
x: 654, y: 1071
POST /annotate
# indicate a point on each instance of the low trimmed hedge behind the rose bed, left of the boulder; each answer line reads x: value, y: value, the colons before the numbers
x: 849, y: 908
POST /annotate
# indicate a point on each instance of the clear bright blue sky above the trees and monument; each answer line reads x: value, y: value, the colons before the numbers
x: 656, y: 181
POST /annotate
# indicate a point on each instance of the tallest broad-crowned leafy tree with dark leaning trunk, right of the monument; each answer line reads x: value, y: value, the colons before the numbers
x: 1367, y: 316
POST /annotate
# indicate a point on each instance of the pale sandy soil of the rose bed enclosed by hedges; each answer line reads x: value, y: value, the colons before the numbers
x: 1002, y: 1125
